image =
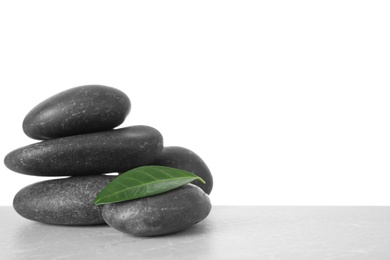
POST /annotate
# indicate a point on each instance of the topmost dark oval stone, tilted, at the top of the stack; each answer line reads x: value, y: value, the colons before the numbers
x: 78, y: 110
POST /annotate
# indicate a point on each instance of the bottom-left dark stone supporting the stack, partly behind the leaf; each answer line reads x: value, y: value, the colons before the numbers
x: 66, y: 201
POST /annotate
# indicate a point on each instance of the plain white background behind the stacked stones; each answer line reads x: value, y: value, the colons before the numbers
x: 288, y: 102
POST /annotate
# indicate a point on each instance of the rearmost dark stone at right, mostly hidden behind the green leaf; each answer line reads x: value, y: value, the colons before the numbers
x: 185, y: 159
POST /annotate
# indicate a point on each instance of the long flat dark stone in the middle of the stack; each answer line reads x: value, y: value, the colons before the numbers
x: 103, y: 152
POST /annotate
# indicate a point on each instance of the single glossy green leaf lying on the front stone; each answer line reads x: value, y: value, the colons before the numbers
x: 143, y: 182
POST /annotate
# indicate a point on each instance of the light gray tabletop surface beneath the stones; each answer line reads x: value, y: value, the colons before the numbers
x: 237, y: 232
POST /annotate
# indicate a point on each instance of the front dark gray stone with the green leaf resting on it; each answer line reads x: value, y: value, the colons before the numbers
x: 161, y: 214
